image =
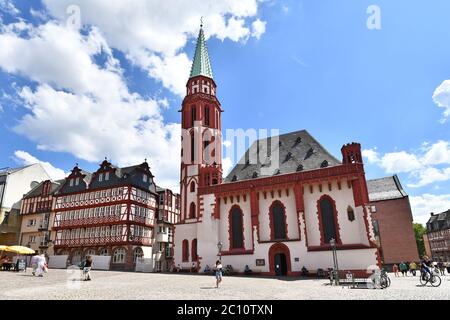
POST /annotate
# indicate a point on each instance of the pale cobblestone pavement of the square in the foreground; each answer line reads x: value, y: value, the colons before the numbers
x: 108, y: 285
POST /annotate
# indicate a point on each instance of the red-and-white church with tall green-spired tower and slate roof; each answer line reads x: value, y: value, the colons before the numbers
x: 275, y: 221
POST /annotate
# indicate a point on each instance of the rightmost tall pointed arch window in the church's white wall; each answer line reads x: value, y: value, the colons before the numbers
x: 328, y: 220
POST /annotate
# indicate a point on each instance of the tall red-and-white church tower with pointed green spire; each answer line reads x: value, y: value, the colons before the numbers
x: 201, y: 153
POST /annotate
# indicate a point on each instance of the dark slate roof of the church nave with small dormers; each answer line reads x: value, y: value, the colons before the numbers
x: 298, y: 151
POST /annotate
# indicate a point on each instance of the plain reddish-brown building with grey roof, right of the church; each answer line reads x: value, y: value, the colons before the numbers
x: 392, y: 220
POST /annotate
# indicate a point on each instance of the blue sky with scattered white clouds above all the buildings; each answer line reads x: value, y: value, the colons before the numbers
x: 288, y: 65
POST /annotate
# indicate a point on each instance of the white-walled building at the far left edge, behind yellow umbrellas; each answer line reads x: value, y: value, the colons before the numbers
x: 14, y: 183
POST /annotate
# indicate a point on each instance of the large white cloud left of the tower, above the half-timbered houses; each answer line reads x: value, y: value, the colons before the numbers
x: 85, y: 109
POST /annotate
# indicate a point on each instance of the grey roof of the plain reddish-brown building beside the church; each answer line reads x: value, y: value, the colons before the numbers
x: 387, y: 188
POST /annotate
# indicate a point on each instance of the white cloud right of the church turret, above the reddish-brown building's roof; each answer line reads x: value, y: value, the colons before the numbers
x: 430, y: 164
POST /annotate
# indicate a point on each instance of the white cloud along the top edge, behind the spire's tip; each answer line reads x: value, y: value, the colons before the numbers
x: 152, y: 34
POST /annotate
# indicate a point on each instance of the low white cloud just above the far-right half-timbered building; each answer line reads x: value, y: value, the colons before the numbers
x: 423, y: 205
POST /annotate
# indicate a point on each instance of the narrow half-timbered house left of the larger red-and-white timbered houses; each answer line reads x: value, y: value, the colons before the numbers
x: 38, y: 215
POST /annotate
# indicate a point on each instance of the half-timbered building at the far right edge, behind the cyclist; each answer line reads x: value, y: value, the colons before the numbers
x: 437, y: 237
